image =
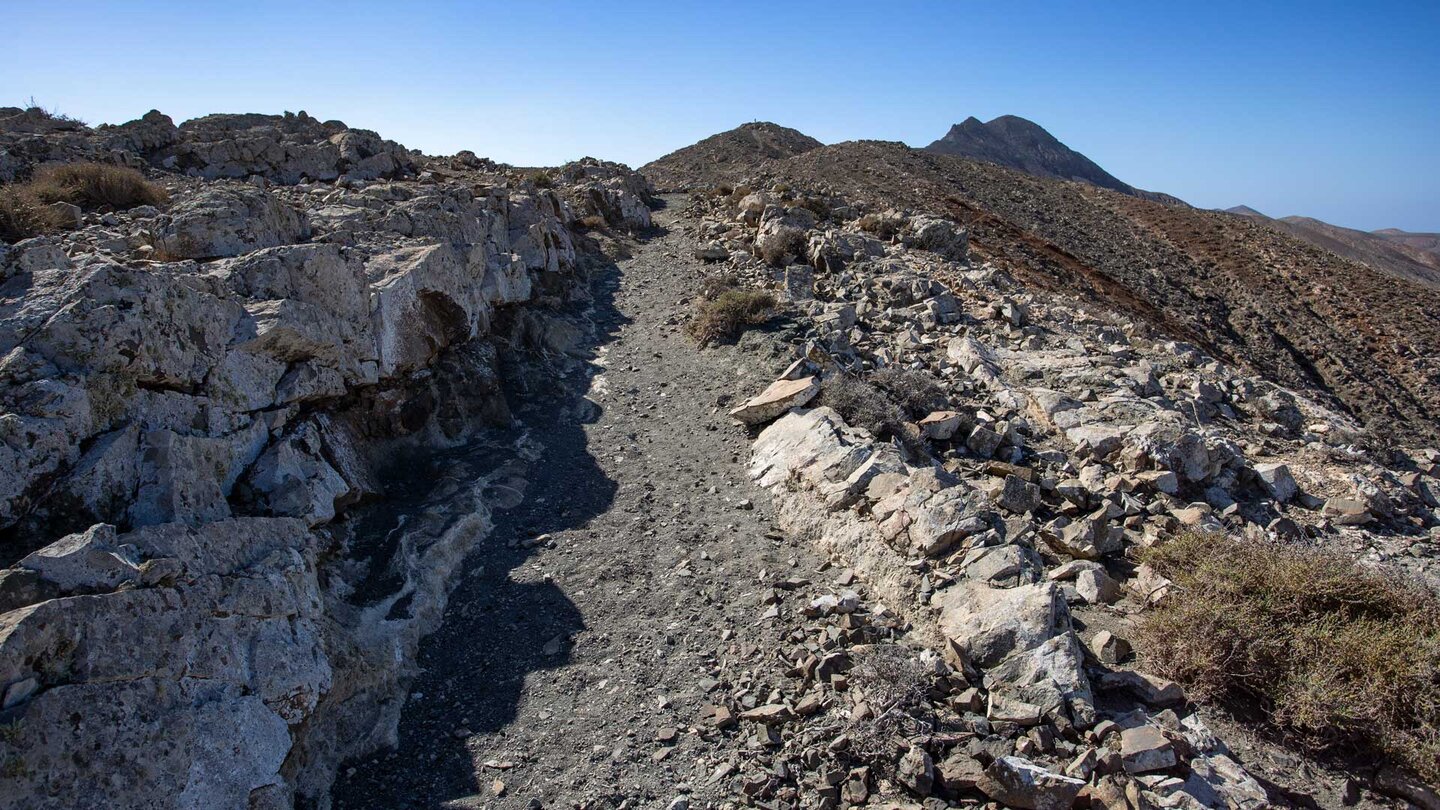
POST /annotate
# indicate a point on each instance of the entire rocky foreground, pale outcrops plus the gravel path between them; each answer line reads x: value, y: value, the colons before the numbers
x: 253, y: 439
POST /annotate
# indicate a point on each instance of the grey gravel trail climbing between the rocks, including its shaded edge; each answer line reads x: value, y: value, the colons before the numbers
x: 564, y: 662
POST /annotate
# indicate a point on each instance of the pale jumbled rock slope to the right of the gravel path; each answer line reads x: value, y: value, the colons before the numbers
x: 1068, y: 440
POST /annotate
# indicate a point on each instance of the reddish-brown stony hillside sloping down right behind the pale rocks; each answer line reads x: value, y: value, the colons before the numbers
x: 1245, y: 292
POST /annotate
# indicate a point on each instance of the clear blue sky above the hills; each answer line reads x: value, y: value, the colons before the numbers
x: 1330, y: 110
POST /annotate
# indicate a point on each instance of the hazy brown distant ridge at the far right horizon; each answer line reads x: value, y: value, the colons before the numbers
x: 1403, y: 254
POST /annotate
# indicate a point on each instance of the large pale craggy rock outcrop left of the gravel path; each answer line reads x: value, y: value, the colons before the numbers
x: 198, y: 406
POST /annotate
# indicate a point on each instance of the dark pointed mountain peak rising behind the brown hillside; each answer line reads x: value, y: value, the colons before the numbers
x: 1019, y: 143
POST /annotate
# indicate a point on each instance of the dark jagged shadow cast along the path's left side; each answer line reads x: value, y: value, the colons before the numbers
x: 503, y: 620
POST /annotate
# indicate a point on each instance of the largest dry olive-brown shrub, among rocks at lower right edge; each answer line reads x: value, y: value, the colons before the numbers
x: 1344, y: 658
